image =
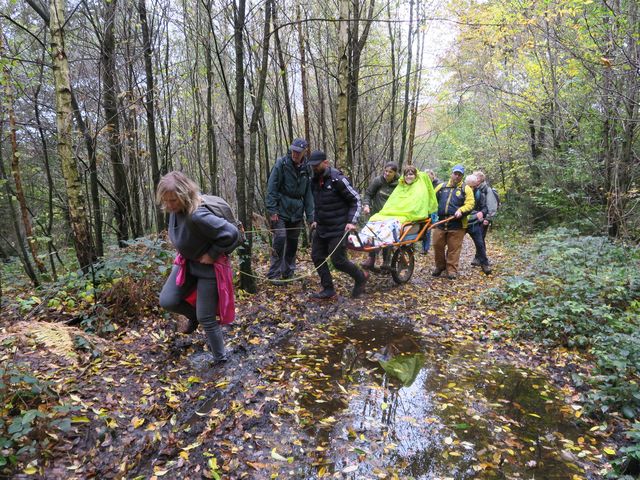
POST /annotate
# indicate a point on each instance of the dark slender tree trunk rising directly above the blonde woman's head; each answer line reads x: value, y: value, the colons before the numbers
x: 149, y: 104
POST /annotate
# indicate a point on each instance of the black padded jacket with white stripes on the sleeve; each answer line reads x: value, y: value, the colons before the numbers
x: 336, y: 203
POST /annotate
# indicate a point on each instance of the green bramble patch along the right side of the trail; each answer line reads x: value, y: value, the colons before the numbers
x: 583, y: 292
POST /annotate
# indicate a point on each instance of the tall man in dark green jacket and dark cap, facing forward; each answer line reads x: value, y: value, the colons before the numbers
x: 289, y: 198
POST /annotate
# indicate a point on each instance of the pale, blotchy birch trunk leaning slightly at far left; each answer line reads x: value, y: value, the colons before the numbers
x: 64, y: 114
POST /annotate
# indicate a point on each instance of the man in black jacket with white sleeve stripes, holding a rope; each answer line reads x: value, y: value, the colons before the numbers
x: 337, y: 208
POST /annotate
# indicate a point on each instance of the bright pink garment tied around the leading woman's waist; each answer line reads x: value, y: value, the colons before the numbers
x: 226, y: 310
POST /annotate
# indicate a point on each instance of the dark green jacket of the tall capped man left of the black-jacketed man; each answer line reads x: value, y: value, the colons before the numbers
x: 289, y: 191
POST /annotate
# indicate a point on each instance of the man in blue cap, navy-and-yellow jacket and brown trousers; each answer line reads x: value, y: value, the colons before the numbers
x: 455, y: 199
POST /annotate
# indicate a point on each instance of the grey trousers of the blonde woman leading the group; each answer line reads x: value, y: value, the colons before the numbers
x: 203, y: 278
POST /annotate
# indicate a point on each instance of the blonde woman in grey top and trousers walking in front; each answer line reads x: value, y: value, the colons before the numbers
x: 199, y: 236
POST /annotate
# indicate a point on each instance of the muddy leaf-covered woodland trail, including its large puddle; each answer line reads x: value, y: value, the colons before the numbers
x: 414, y: 381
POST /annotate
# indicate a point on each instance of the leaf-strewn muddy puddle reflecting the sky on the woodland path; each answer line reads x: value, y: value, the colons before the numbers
x: 378, y: 400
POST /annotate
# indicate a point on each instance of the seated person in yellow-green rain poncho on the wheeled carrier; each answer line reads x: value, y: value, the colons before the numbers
x: 412, y: 200
